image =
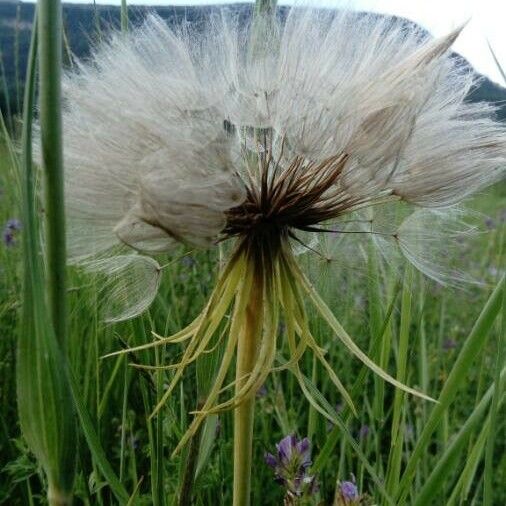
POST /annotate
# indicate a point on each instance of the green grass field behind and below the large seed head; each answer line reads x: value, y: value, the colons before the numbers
x: 373, y: 447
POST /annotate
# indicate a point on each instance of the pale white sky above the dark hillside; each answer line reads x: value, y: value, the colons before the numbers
x: 486, y: 21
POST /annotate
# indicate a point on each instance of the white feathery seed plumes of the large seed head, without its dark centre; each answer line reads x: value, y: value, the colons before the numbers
x: 159, y: 130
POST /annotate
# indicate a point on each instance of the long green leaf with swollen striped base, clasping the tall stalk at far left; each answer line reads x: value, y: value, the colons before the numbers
x: 44, y: 398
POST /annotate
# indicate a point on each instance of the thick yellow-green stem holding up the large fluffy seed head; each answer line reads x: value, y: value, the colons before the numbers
x: 244, y: 414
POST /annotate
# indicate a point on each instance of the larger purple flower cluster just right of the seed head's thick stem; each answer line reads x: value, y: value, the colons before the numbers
x: 291, y: 465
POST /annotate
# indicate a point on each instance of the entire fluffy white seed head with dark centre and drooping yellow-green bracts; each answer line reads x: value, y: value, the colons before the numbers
x: 293, y: 130
